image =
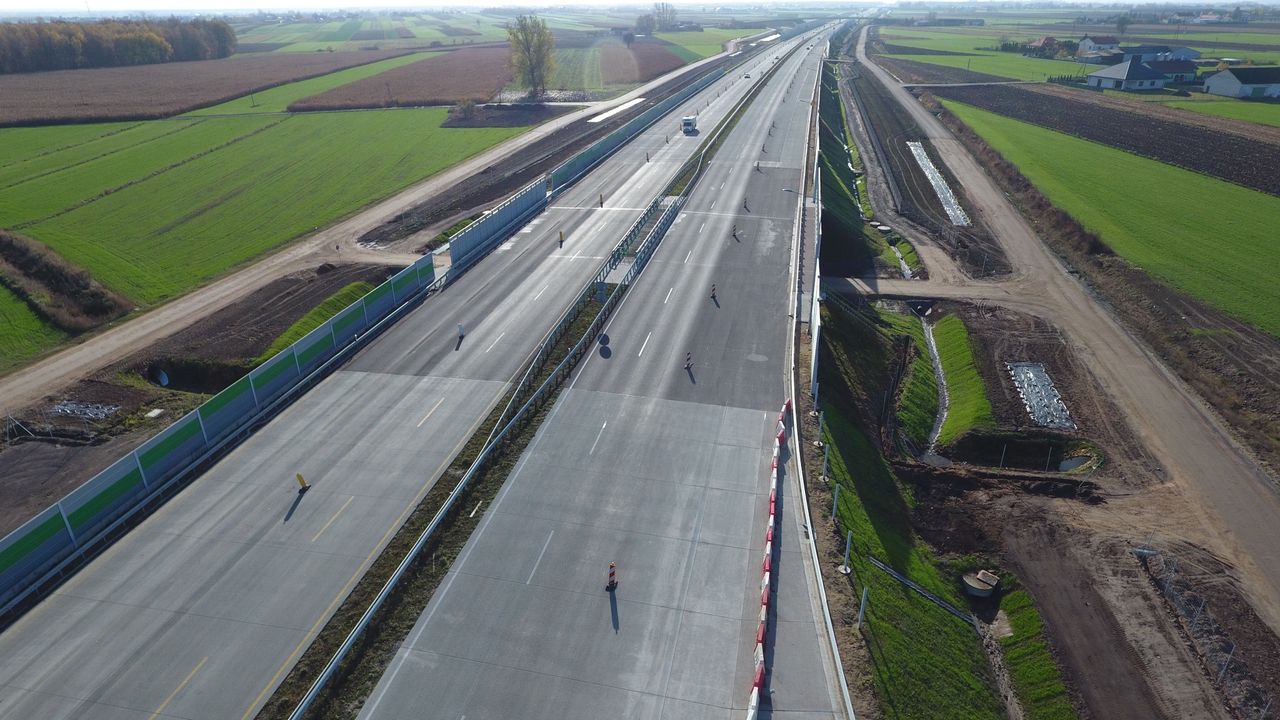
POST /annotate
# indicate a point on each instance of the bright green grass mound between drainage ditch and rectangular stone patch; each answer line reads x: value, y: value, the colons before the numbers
x: 968, y: 405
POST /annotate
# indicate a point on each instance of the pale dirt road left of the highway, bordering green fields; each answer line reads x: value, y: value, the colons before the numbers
x: 336, y: 244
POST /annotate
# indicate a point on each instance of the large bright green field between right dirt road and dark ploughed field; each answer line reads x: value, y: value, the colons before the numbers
x: 1208, y: 238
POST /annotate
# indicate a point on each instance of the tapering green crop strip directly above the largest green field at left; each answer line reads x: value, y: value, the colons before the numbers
x: 76, y: 185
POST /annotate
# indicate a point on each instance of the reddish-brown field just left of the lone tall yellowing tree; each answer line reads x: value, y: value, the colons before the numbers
x: 472, y: 74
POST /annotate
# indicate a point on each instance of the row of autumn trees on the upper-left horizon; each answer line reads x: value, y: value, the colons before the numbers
x: 28, y: 48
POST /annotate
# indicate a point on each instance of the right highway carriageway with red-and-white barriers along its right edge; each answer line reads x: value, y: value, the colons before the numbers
x: 661, y: 470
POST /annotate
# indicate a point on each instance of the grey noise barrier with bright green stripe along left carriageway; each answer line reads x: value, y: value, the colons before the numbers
x: 39, y: 549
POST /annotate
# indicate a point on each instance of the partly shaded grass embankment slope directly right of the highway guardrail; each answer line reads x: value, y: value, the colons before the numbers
x: 926, y: 664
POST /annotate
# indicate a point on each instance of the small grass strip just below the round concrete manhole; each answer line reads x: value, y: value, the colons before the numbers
x: 1031, y: 666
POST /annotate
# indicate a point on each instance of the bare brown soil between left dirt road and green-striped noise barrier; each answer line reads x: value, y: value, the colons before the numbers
x: 70, y: 452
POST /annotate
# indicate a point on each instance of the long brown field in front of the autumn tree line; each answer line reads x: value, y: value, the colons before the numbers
x: 159, y: 92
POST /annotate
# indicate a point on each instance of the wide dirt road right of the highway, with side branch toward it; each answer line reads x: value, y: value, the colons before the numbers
x: 1232, y: 504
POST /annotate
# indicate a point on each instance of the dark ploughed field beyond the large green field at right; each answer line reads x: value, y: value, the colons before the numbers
x: 1227, y: 157
